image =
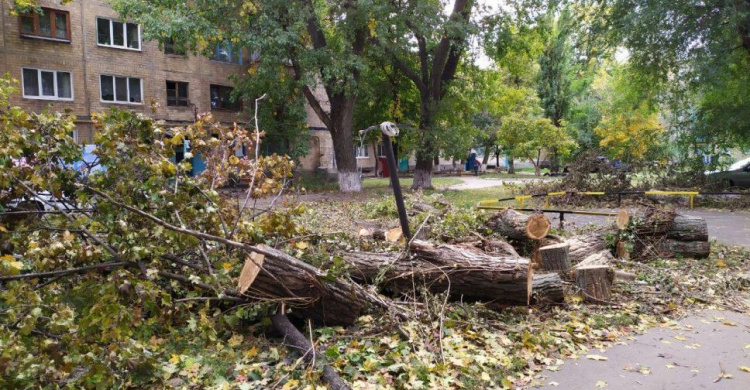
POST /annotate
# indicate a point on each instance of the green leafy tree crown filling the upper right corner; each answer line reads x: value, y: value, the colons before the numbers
x: 696, y: 55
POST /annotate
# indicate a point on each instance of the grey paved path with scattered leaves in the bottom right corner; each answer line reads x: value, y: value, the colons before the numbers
x: 689, y: 355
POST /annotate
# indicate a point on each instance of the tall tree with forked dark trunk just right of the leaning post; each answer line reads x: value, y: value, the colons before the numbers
x: 426, y: 46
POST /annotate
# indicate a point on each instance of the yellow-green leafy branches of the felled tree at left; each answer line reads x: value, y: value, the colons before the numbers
x: 106, y: 327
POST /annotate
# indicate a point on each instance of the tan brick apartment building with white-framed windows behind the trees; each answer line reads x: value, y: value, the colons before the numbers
x: 82, y: 56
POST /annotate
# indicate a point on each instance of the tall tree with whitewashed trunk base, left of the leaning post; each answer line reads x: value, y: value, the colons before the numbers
x: 323, y: 43
